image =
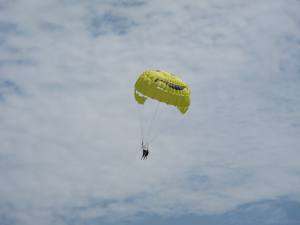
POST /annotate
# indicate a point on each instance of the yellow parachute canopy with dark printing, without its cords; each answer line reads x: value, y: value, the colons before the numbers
x: 164, y: 87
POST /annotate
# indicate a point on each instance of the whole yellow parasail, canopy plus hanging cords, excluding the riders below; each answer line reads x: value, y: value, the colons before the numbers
x: 161, y: 87
